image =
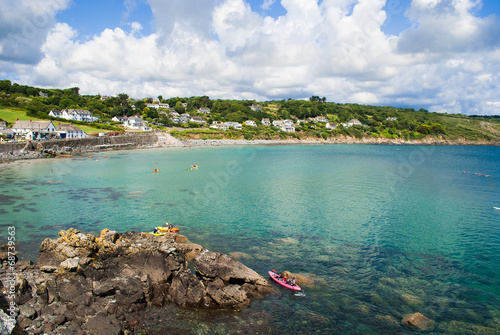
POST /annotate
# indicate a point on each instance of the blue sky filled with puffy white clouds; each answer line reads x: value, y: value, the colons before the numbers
x: 442, y: 55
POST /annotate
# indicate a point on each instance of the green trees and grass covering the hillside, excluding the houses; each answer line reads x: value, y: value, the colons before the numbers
x: 378, y: 122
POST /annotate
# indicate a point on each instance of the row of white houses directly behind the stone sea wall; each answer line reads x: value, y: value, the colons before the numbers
x: 41, y: 130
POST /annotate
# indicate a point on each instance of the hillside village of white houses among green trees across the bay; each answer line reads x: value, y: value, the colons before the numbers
x: 30, y: 113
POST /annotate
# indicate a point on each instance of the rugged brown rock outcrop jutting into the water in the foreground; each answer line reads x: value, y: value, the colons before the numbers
x: 95, y: 284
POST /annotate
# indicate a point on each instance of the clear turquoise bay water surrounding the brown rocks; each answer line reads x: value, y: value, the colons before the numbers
x: 383, y: 230
